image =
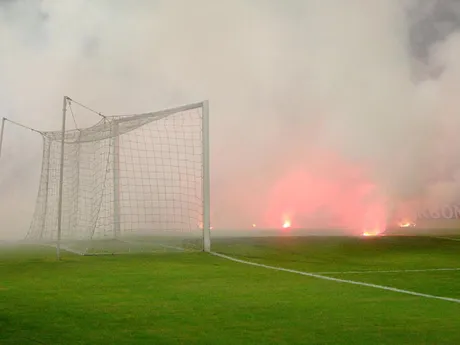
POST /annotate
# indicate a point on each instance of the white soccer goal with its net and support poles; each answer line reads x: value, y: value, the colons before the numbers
x: 131, y: 183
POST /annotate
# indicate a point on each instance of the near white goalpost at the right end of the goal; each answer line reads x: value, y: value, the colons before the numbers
x: 206, y: 181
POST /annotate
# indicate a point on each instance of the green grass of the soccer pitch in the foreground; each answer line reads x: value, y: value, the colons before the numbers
x: 195, y: 298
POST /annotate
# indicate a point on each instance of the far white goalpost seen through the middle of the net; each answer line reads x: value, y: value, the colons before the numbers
x: 116, y: 180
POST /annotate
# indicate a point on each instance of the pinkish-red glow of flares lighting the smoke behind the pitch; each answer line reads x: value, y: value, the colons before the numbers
x: 330, y: 193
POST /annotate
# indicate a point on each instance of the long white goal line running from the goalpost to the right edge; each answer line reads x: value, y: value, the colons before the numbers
x: 337, y: 280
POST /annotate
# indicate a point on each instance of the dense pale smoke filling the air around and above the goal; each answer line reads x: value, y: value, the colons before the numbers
x: 328, y: 109
